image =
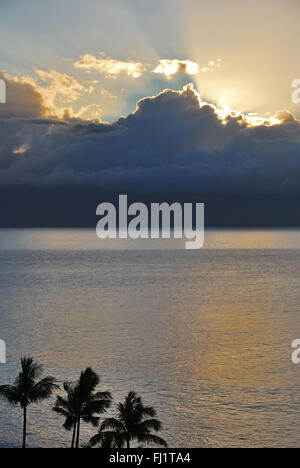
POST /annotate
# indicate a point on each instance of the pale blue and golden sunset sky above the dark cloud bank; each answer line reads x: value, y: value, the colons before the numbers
x: 244, y: 54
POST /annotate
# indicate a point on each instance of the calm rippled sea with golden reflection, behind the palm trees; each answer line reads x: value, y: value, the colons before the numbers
x: 204, y: 336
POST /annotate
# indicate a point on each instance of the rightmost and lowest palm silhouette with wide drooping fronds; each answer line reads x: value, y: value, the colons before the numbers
x: 130, y: 424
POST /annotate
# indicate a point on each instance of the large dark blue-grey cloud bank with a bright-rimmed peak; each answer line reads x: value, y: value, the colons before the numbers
x: 171, y: 144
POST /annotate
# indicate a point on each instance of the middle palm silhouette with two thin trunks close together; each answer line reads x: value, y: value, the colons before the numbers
x: 82, y: 403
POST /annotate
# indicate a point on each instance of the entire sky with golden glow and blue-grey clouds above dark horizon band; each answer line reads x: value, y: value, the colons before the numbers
x: 147, y: 97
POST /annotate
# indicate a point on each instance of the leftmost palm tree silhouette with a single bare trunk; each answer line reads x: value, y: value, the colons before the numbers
x: 27, y: 389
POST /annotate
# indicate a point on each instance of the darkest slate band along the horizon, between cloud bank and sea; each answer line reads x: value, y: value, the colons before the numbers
x: 70, y: 208
